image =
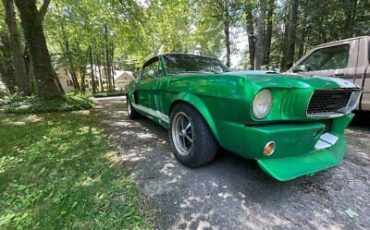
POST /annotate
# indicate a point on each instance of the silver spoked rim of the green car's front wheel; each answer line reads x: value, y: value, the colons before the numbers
x: 182, y: 133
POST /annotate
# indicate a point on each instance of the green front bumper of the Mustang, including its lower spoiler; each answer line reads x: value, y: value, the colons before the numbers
x: 296, y: 152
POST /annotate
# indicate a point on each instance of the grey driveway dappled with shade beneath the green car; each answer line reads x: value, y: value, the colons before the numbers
x: 233, y: 193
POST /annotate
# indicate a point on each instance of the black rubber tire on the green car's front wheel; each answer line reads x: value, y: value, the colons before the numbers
x: 204, y: 146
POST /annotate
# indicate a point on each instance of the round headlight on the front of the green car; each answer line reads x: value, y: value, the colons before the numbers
x: 262, y: 103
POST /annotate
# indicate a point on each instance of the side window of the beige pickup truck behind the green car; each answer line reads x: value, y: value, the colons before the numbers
x: 335, y: 57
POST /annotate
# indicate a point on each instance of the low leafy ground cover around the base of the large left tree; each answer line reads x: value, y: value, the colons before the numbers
x: 25, y: 105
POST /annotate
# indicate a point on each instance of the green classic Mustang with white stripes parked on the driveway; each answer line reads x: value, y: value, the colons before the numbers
x: 292, y: 125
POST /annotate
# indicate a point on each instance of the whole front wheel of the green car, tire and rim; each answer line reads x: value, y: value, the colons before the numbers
x: 193, y: 142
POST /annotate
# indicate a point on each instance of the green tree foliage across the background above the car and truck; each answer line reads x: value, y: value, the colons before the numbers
x: 137, y: 30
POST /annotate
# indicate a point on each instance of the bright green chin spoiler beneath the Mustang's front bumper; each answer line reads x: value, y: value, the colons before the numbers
x: 288, y: 168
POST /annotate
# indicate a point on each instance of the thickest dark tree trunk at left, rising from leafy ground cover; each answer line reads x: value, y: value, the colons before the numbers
x: 48, y: 84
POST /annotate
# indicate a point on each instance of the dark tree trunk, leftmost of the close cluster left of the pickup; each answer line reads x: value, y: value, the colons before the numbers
x: 250, y: 32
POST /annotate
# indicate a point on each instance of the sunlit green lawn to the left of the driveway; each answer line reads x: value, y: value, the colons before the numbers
x: 58, y: 171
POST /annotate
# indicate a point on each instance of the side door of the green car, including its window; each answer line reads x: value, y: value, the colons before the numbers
x: 147, y: 86
